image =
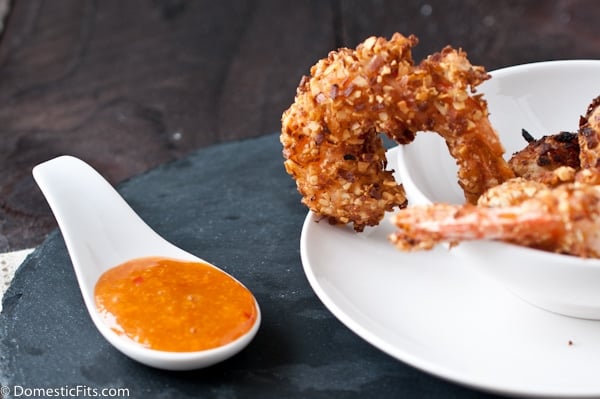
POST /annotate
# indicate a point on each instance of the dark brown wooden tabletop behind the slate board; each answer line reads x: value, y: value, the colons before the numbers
x: 129, y: 85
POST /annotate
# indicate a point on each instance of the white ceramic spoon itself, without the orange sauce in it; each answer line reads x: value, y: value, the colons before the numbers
x: 101, y: 231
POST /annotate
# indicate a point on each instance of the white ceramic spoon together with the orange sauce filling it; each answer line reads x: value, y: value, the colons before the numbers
x: 101, y: 231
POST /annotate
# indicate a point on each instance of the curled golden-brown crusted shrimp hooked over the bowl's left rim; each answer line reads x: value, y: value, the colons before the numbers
x: 330, y: 134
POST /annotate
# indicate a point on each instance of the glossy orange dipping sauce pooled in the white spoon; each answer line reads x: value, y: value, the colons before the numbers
x: 174, y: 305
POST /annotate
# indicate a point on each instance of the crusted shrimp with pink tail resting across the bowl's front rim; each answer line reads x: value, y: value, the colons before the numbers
x: 562, y: 219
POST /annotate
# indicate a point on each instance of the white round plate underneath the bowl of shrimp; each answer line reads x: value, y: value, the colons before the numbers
x: 444, y: 317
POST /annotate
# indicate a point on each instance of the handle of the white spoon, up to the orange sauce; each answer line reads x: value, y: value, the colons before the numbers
x: 99, y: 228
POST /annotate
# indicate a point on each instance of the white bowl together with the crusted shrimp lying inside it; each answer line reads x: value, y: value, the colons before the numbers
x: 537, y: 234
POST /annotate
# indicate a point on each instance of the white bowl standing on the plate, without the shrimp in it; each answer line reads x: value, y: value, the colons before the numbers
x: 542, y: 98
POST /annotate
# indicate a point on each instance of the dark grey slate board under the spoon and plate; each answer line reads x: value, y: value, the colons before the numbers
x: 233, y: 205
